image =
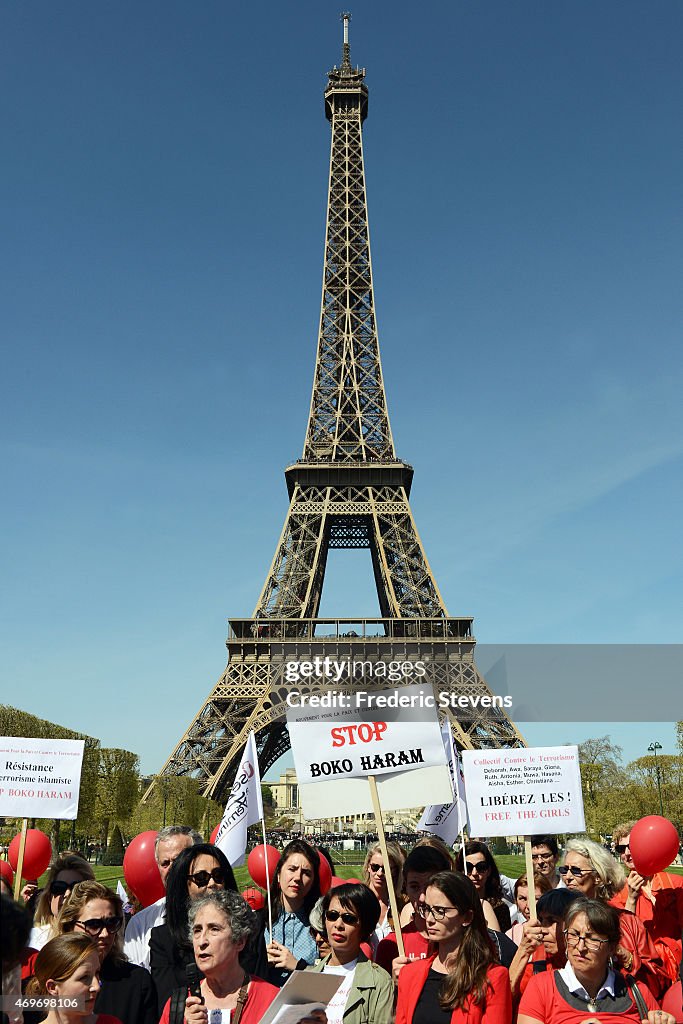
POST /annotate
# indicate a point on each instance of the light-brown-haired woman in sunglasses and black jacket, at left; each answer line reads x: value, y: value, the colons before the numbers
x: 127, y: 991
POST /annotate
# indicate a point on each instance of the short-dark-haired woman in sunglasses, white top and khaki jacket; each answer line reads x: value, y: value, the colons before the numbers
x: 351, y: 914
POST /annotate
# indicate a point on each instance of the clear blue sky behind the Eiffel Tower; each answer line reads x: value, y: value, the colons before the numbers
x: 163, y: 211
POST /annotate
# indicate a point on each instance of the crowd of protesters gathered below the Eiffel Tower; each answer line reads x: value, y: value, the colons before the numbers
x: 605, y: 944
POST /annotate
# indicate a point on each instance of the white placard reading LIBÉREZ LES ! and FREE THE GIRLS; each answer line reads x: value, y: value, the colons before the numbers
x: 524, y: 791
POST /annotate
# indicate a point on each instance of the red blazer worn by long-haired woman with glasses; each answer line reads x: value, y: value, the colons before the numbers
x: 496, y: 1008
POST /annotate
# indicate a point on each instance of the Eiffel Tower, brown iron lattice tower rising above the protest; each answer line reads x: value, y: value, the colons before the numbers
x: 349, y: 491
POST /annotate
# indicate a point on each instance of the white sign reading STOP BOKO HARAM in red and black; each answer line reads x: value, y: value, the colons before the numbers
x: 339, y: 744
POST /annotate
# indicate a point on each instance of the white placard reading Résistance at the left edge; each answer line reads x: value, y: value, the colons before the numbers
x: 40, y: 779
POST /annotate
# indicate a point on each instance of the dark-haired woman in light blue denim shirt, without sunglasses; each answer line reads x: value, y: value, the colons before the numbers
x: 295, y: 890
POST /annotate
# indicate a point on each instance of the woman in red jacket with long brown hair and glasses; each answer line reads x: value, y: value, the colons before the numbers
x: 461, y: 984
